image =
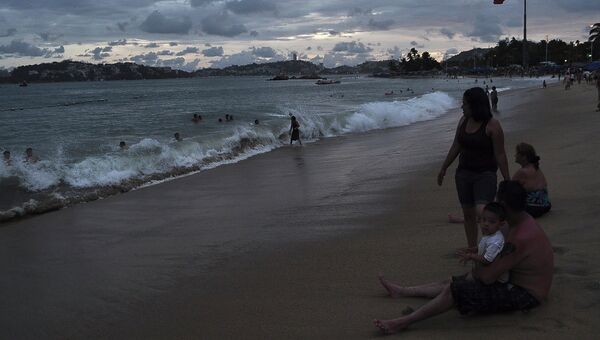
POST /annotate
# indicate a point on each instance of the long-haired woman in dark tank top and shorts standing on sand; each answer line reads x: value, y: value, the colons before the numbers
x: 479, y: 140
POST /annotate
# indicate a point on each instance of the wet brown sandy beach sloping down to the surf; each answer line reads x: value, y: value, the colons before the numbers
x: 177, y: 260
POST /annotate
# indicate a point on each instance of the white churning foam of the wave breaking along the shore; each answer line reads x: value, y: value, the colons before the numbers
x: 151, y: 156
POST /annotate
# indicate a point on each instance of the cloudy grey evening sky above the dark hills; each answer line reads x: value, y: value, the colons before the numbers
x: 190, y: 34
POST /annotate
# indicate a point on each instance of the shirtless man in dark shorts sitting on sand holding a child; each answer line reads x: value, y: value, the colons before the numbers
x: 527, y: 255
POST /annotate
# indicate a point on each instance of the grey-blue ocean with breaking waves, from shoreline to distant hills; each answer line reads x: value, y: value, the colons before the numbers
x: 75, y: 128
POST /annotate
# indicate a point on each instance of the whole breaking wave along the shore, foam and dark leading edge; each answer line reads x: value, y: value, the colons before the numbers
x: 52, y: 184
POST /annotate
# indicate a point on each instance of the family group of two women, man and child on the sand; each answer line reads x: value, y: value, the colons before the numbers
x: 514, y: 261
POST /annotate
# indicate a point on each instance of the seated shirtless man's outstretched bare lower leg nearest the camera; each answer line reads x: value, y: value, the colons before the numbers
x: 441, y: 303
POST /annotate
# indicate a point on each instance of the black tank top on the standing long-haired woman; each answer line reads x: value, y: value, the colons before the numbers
x: 476, y: 149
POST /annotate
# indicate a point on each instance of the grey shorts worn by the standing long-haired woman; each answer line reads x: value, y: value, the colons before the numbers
x: 475, y: 187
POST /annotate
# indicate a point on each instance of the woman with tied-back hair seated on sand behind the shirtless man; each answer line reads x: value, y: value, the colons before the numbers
x: 532, y: 179
